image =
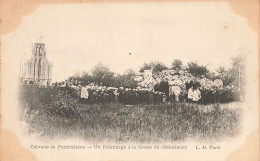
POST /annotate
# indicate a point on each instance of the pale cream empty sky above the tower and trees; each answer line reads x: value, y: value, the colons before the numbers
x: 79, y: 36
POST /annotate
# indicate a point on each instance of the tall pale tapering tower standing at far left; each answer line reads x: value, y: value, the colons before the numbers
x: 37, y: 70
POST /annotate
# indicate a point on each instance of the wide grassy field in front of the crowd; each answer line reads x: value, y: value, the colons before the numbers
x: 63, y: 116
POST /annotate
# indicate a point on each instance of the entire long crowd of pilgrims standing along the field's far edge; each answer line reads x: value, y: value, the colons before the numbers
x: 191, y: 91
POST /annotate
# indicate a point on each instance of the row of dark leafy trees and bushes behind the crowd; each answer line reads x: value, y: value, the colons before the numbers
x: 101, y: 74
